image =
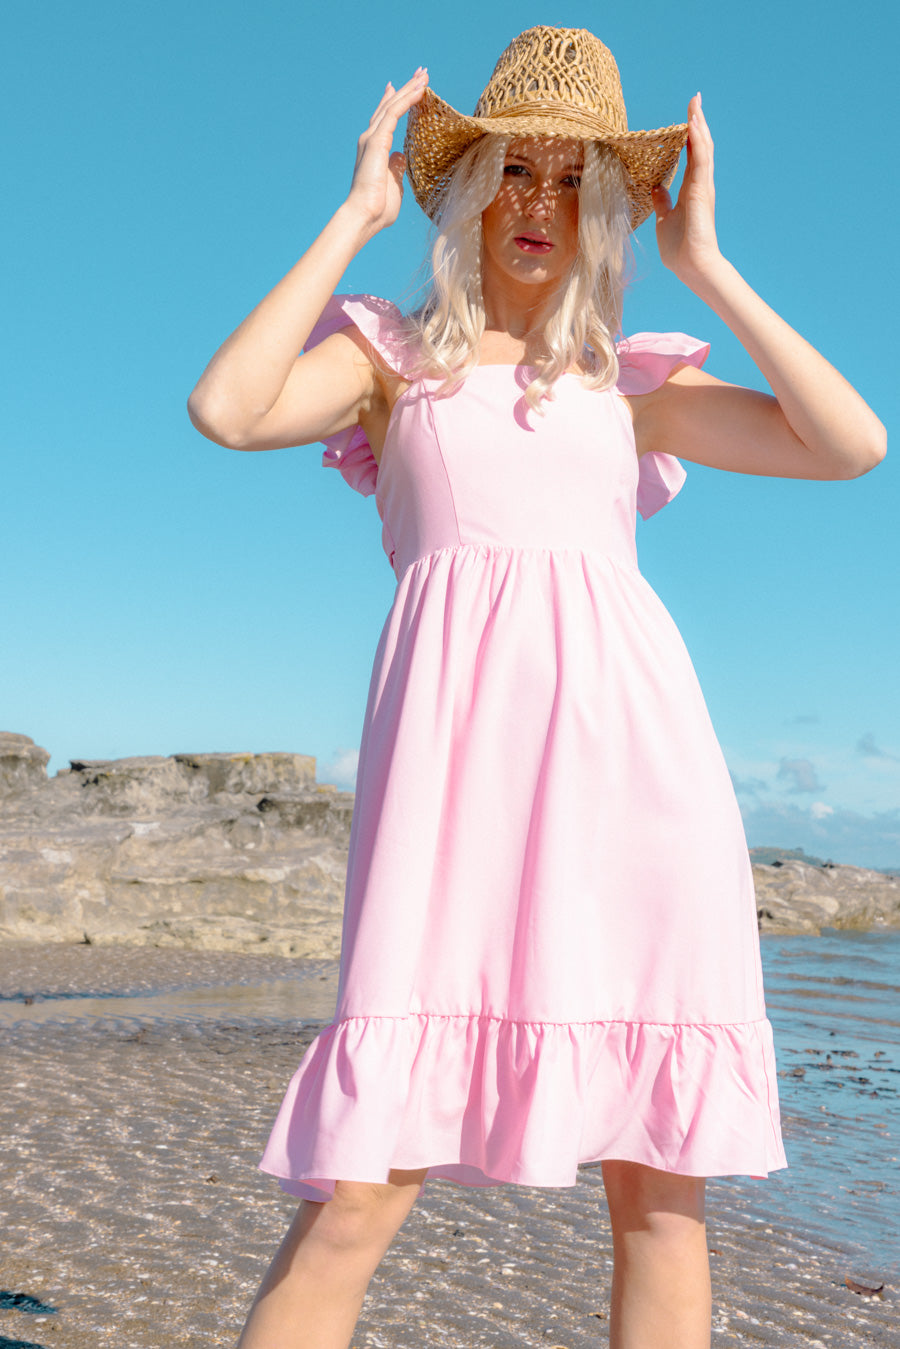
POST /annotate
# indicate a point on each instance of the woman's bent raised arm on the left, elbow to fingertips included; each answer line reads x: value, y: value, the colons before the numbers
x: 257, y: 393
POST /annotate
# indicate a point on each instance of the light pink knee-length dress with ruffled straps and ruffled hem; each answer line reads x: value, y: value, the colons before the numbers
x: 550, y: 950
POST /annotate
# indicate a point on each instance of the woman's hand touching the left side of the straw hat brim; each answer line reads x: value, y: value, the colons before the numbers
x: 377, y: 190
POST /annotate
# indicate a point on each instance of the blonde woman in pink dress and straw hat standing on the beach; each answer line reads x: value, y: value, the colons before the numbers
x: 550, y: 940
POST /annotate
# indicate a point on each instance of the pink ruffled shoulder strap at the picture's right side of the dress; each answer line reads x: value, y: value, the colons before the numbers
x: 646, y: 362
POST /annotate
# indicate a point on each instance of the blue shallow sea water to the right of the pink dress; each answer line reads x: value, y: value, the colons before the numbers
x: 835, y: 1003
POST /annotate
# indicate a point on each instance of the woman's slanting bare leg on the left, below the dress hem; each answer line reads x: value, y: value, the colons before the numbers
x: 315, y: 1288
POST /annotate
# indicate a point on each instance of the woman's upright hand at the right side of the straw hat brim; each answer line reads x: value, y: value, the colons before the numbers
x: 686, y: 230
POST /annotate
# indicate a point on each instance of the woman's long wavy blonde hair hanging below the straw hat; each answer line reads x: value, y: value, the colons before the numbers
x: 582, y: 330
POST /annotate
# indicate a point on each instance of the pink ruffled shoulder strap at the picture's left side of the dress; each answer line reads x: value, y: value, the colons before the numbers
x: 380, y: 322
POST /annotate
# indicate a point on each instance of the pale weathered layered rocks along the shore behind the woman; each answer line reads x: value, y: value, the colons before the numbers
x: 248, y: 853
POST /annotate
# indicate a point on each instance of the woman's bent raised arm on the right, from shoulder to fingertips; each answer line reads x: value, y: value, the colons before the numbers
x: 816, y: 426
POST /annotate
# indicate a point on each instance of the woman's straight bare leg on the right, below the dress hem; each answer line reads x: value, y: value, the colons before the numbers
x: 662, y: 1269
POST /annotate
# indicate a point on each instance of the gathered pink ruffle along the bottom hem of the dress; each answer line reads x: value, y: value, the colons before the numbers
x: 485, y: 1101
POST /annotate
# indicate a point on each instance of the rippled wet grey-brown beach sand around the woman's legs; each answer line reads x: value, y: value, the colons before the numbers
x: 134, y: 1207
